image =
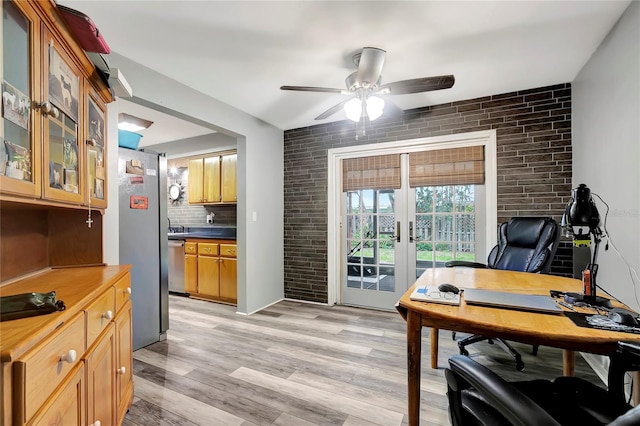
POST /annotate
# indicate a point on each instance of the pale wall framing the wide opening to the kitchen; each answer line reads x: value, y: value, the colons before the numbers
x: 260, y: 180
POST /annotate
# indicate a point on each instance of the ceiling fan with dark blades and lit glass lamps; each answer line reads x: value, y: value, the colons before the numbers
x: 364, y: 87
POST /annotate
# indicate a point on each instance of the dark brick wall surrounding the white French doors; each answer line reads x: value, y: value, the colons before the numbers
x: 534, y: 169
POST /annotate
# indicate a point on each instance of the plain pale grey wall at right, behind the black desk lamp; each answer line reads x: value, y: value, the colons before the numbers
x: 606, y: 154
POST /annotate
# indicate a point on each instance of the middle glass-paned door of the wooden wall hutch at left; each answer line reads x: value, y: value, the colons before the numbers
x: 62, y: 152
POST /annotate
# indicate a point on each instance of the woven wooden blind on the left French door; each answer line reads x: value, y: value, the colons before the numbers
x: 377, y: 172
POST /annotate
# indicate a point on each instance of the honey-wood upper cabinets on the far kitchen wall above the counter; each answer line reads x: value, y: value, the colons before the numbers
x: 212, y: 180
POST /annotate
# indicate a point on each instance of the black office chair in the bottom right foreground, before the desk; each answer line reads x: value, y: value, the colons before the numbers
x: 478, y: 396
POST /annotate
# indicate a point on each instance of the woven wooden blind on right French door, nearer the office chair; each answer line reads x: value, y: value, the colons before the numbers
x: 455, y: 166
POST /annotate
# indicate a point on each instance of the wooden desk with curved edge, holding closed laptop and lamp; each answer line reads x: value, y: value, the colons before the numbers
x: 526, y: 327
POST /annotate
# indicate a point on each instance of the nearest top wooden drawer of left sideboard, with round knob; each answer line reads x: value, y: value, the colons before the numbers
x: 37, y: 374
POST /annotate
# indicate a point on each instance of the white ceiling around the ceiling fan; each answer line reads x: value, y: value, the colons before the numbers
x: 241, y: 52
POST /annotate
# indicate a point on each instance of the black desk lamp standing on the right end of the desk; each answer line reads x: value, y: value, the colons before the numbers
x: 582, y: 221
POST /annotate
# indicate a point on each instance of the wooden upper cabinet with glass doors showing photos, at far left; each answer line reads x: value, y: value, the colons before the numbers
x: 53, y: 117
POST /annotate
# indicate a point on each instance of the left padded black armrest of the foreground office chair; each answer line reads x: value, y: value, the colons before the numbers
x: 515, y: 406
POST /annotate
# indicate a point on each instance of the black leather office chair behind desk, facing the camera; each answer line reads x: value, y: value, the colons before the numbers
x: 526, y: 244
